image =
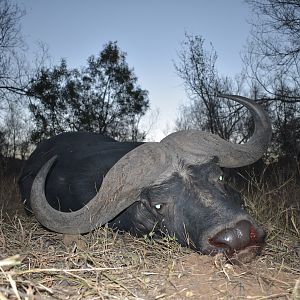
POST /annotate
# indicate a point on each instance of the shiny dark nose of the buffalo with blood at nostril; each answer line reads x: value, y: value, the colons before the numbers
x: 240, y: 236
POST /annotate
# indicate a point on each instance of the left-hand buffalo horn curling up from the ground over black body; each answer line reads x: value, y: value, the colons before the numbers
x: 120, y: 188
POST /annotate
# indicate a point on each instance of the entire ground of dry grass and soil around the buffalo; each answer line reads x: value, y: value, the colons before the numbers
x: 38, y: 264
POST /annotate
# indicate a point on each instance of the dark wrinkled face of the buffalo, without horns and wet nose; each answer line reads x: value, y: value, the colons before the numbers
x: 192, y: 205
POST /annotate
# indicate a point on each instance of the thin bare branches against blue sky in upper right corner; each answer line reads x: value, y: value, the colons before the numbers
x: 273, y: 51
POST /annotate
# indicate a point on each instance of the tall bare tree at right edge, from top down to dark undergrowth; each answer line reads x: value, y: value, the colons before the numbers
x: 272, y: 61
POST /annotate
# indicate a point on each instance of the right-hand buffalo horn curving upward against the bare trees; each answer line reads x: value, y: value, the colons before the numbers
x: 197, y: 146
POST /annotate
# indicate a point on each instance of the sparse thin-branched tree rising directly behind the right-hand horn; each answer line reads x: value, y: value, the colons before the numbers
x: 197, y: 68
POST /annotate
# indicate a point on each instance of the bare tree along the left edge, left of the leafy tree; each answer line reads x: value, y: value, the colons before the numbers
x: 13, y: 80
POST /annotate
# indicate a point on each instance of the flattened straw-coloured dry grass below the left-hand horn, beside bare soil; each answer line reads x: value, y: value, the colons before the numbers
x: 100, y: 265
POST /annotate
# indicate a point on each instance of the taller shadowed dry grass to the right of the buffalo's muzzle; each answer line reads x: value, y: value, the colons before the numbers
x: 276, y: 205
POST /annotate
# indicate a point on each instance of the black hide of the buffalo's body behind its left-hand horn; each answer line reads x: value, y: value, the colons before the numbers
x: 82, y: 162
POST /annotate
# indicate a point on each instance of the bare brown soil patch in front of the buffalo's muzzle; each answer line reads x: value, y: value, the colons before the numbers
x: 204, y: 277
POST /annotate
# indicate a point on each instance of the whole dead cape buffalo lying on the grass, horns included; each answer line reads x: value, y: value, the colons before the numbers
x: 75, y: 182
